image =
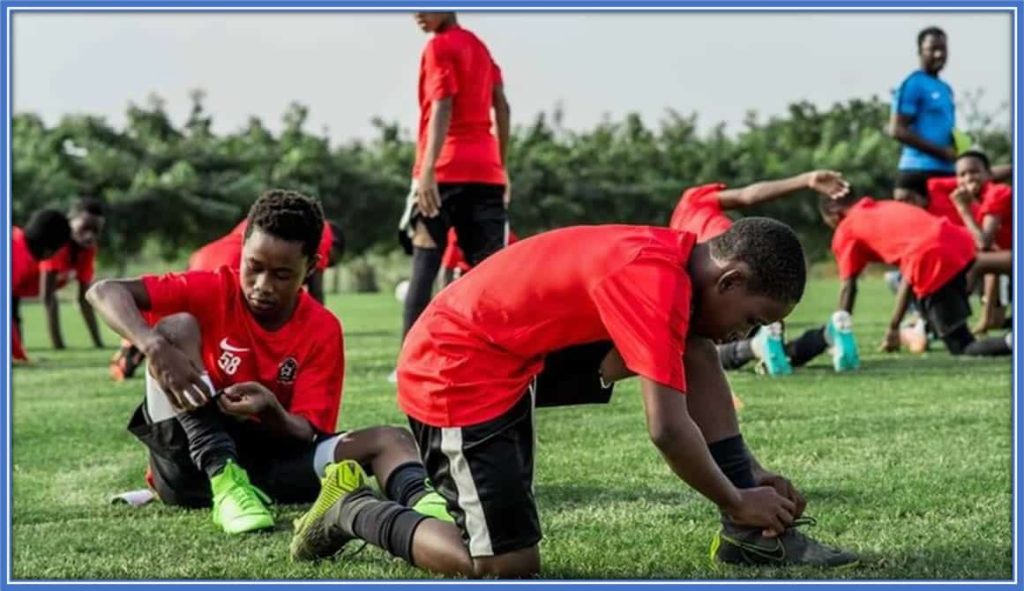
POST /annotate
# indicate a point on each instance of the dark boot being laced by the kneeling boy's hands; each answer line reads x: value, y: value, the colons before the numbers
x: 737, y: 545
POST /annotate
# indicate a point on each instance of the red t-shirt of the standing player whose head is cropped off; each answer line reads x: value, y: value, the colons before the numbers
x: 457, y: 64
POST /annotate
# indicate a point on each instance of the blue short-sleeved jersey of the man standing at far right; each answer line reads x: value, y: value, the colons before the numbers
x: 929, y: 104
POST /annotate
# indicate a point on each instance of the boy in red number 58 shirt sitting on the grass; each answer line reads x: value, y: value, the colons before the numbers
x: 244, y: 381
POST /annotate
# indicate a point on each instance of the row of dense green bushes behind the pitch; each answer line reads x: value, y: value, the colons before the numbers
x: 182, y: 188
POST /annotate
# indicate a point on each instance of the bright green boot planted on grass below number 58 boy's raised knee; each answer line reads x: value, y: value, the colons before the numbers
x: 239, y: 508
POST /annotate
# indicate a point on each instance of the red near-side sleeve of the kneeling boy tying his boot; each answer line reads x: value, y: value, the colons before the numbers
x: 645, y: 306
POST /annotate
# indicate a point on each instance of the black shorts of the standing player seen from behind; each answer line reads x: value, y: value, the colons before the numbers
x: 479, y: 216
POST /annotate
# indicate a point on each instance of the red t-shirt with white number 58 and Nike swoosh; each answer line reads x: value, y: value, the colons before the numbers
x: 303, y: 363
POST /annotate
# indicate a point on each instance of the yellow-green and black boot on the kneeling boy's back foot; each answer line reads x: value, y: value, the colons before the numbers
x: 320, y: 533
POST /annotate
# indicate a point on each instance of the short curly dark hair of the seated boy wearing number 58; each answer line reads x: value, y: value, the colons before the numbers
x: 288, y: 216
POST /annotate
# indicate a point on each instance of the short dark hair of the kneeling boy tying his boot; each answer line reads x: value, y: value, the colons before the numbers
x: 773, y: 252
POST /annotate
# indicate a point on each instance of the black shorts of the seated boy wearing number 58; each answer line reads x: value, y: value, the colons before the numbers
x: 283, y: 472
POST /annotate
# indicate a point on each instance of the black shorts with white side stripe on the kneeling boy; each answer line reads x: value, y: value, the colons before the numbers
x: 486, y: 472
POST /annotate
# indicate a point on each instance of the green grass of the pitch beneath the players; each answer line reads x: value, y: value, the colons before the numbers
x: 908, y: 461
